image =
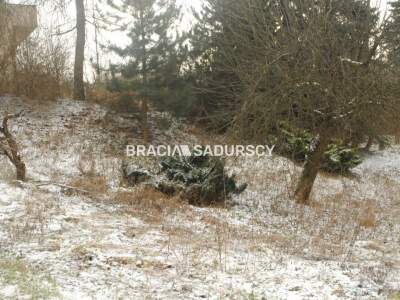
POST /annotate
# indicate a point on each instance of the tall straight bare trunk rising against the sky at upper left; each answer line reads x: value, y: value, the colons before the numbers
x: 79, y: 87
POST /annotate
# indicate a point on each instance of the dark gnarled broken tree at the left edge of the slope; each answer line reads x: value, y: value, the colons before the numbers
x: 9, y: 147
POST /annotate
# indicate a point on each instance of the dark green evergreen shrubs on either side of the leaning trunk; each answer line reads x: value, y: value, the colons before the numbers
x: 298, y: 145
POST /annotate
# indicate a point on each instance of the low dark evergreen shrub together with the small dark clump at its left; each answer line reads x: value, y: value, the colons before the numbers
x: 201, y: 180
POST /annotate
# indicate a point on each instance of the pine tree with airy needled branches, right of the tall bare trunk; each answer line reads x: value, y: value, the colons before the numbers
x: 156, y: 51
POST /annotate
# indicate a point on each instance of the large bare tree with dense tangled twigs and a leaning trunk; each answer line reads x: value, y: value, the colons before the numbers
x: 314, y: 64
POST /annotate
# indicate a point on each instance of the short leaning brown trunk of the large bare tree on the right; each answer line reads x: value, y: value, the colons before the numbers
x: 310, y: 172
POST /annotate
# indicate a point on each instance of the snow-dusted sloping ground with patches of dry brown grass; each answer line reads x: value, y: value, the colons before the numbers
x: 104, y: 241
